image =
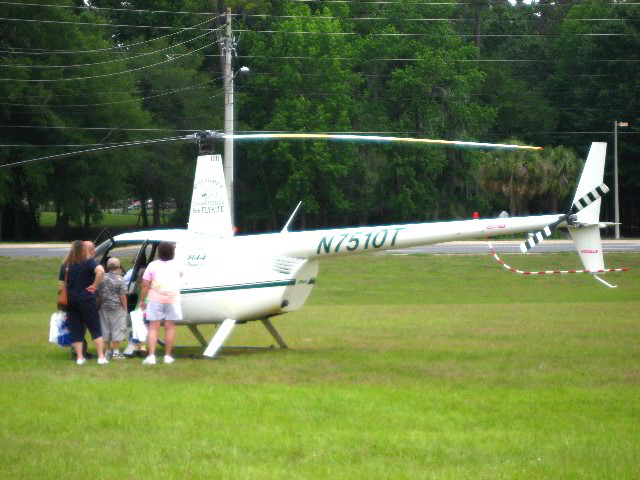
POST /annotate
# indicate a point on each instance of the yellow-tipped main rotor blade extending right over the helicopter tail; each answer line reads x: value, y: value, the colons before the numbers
x: 374, y: 138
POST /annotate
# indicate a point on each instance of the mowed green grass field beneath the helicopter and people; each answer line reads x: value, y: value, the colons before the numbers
x: 399, y: 367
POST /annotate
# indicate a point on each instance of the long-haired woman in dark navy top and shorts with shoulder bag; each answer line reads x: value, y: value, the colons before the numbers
x: 84, y: 275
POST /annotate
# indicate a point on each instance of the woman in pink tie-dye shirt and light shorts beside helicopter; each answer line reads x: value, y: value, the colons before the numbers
x: 160, y: 297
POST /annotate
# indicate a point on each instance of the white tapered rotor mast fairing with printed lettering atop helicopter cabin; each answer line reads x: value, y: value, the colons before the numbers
x: 209, y: 203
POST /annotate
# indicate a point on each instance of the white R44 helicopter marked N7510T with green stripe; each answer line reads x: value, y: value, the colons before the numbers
x: 235, y: 279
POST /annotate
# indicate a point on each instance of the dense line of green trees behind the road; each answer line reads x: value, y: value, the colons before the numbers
x: 78, y: 75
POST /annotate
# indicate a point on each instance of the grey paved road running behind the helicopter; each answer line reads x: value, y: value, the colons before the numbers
x: 475, y: 247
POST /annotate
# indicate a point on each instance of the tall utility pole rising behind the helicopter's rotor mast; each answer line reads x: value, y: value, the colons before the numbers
x: 228, y: 48
